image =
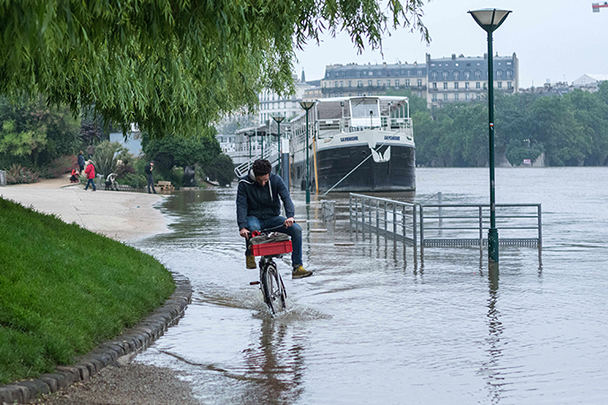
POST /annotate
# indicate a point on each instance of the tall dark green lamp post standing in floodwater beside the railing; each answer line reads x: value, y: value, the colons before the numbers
x: 490, y: 19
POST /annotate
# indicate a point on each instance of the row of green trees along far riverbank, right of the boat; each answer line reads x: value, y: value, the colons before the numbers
x: 571, y: 130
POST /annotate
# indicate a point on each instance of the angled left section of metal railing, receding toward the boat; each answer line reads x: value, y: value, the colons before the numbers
x: 392, y: 219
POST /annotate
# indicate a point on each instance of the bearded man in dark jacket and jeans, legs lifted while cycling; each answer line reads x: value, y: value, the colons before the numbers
x: 258, y: 206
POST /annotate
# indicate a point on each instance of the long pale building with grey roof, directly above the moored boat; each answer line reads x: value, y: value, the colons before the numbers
x: 372, y: 80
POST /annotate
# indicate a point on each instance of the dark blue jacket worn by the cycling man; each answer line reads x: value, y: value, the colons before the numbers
x: 253, y: 200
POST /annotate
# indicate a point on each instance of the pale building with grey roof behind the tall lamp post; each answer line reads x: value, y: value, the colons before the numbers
x: 465, y: 78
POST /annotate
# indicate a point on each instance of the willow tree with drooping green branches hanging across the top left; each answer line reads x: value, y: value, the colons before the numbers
x: 174, y: 65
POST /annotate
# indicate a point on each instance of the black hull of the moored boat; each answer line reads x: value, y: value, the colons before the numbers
x: 333, y: 165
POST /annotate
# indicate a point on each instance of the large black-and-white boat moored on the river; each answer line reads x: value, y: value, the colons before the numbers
x: 355, y: 144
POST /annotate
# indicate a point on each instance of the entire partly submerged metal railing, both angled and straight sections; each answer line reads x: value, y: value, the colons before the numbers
x: 445, y: 225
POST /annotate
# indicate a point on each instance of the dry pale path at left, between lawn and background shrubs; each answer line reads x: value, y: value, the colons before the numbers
x: 119, y: 215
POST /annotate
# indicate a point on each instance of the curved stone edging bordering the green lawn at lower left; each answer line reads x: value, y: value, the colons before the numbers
x: 135, y: 340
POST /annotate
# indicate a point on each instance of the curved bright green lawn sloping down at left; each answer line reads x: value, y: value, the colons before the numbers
x: 64, y: 290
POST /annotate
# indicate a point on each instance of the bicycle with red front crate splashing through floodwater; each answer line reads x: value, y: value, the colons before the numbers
x: 269, y: 245
